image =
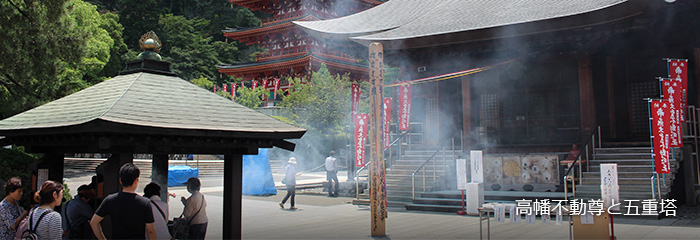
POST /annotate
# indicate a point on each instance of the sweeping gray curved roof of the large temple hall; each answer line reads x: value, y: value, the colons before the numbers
x: 410, y: 19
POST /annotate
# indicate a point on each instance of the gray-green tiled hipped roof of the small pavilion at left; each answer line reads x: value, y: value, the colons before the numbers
x: 151, y: 100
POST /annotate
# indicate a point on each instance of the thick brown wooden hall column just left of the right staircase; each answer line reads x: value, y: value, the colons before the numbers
x: 585, y: 79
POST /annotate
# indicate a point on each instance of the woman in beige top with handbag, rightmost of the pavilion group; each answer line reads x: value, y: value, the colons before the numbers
x: 195, y: 210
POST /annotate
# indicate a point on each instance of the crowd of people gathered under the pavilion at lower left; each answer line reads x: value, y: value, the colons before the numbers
x: 132, y: 216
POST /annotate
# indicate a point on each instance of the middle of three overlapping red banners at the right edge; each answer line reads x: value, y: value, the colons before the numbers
x: 672, y: 93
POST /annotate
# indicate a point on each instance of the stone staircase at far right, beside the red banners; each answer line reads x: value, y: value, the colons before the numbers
x: 635, y: 167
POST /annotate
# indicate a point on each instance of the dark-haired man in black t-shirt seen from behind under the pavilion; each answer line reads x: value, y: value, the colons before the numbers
x: 132, y: 217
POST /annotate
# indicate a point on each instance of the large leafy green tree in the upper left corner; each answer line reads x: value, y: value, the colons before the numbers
x: 40, y: 43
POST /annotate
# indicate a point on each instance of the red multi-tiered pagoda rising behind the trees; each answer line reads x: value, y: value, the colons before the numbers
x: 290, y: 51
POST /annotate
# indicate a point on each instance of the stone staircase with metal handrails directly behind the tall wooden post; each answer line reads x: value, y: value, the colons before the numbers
x: 398, y: 176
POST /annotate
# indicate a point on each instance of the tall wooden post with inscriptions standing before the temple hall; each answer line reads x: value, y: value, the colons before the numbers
x: 377, y: 167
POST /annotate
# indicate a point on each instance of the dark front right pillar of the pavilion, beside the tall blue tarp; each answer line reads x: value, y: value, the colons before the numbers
x: 233, y: 186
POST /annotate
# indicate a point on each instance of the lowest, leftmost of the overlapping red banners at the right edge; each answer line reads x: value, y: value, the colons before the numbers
x: 660, y: 118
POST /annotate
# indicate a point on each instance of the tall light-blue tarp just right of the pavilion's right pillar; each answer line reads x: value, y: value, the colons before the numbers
x: 257, y: 174
